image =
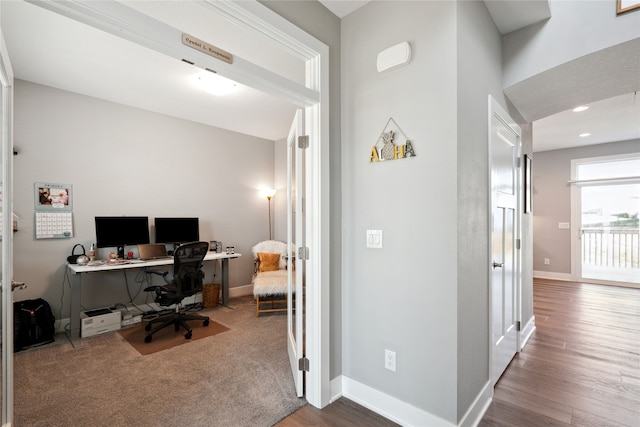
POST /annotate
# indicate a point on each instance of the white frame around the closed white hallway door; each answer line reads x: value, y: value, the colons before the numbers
x: 496, y: 108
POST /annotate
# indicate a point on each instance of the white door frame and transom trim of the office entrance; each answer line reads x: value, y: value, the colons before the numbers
x: 313, y: 96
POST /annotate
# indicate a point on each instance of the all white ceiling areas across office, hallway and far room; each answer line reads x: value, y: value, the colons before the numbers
x: 50, y: 49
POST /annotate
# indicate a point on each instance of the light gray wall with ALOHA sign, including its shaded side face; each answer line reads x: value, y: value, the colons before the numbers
x: 431, y: 278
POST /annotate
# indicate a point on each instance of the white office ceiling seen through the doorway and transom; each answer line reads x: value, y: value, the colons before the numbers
x: 53, y: 50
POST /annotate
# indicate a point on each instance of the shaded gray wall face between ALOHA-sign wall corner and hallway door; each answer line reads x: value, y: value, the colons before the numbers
x: 479, y: 74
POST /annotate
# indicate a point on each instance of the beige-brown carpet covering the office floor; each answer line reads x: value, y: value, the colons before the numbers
x: 237, y: 378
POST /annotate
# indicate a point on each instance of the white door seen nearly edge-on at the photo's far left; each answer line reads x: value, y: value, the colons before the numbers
x: 6, y: 183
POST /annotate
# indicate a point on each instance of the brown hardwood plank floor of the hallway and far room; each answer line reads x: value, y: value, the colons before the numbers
x: 581, y: 367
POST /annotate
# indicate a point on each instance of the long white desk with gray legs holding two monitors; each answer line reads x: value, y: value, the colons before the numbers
x: 77, y: 271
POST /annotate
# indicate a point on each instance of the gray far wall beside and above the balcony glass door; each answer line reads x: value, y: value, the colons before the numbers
x: 552, y: 202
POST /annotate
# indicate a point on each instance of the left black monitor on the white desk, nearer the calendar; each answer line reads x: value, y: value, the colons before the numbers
x: 118, y: 231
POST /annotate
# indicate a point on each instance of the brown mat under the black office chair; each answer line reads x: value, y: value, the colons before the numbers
x: 168, y: 337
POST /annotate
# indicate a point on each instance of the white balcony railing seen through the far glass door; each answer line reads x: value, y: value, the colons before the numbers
x: 611, y: 247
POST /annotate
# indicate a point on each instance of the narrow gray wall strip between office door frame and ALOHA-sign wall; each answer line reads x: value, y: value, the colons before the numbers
x: 315, y: 19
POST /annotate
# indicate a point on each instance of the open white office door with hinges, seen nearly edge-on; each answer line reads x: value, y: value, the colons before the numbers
x: 295, y: 241
